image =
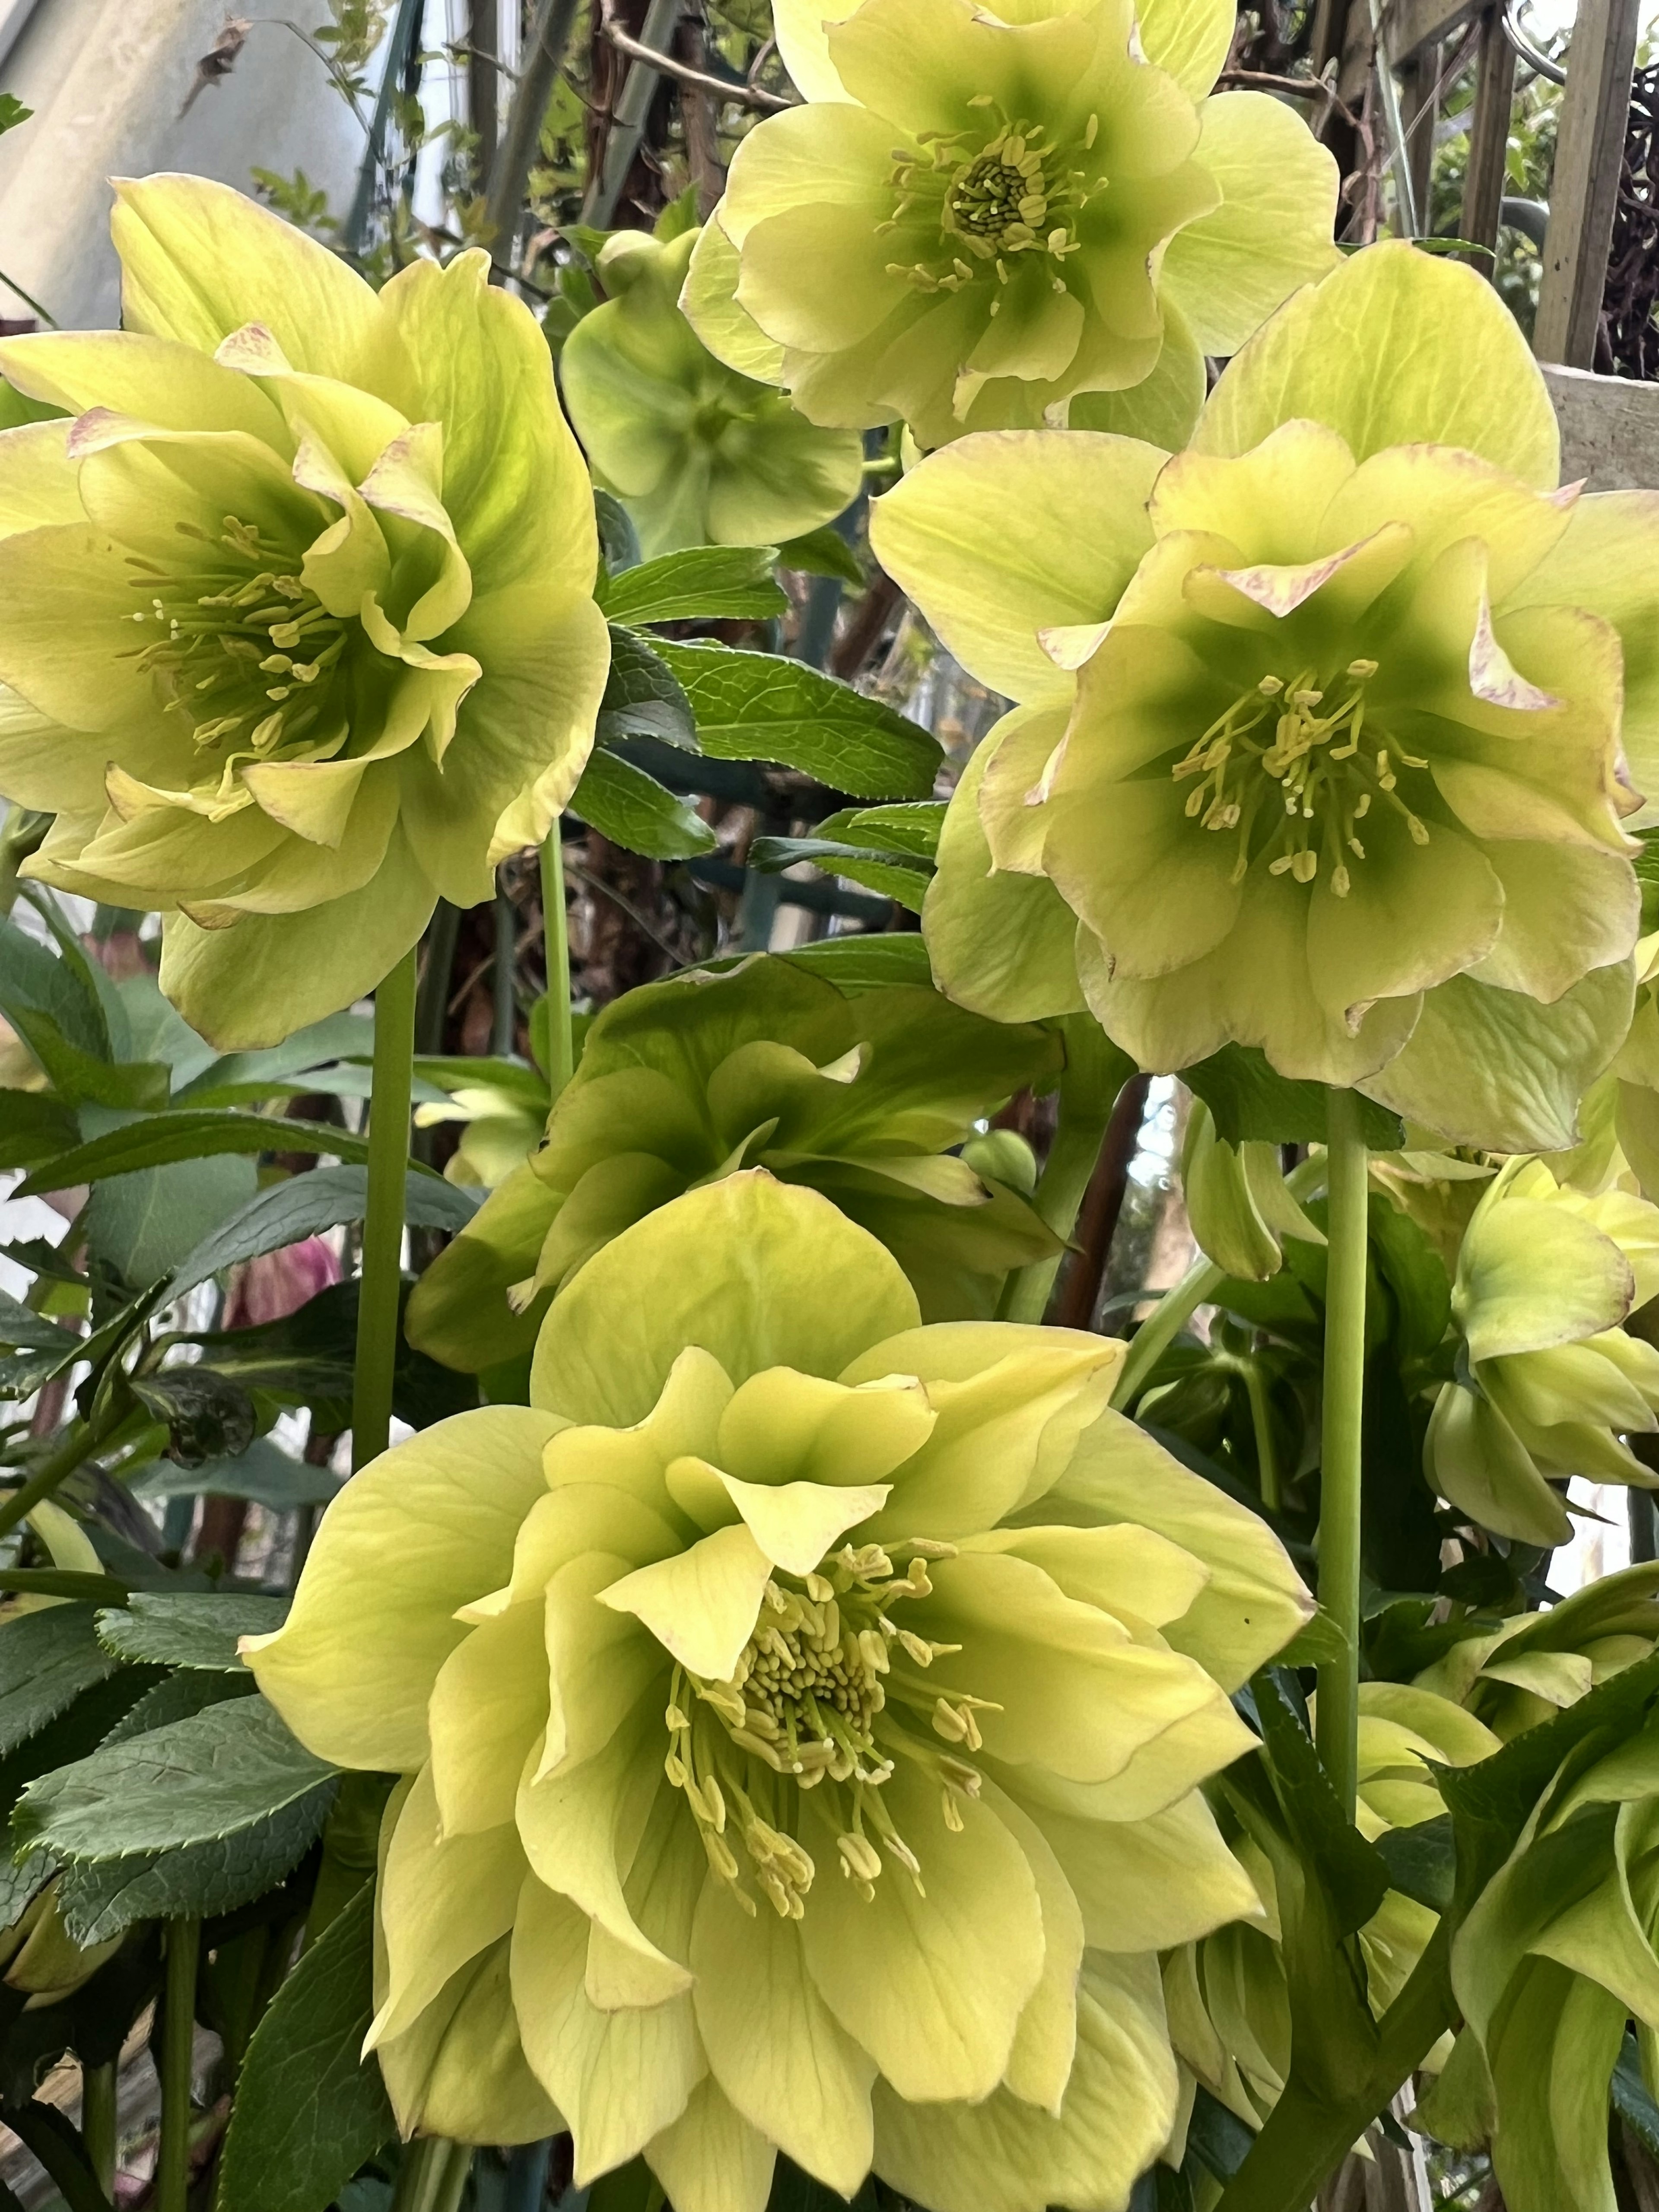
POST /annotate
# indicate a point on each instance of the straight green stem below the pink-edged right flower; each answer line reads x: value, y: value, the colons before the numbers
x: 1339, y: 1512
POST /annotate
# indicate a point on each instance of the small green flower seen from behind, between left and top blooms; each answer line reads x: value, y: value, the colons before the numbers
x: 698, y: 452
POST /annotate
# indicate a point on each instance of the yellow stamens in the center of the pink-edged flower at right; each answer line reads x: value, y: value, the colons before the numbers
x: 1291, y: 769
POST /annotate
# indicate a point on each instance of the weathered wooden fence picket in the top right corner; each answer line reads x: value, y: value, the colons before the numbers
x: 1585, y: 189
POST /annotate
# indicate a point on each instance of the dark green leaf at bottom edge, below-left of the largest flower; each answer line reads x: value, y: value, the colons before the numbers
x: 309, y: 2107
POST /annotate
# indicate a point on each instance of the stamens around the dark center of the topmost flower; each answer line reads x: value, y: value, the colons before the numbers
x: 1014, y: 196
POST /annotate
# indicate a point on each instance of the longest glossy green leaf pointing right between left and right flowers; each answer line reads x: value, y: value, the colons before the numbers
x: 755, y: 707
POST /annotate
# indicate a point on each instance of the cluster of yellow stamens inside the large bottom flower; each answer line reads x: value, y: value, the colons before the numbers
x: 811, y: 1709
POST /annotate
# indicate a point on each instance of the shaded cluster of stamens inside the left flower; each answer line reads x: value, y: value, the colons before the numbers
x: 247, y: 665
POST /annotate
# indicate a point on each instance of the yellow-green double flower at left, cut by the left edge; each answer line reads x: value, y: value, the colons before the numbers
x: 295, y: 616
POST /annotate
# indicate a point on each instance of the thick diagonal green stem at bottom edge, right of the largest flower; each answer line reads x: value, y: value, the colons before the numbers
x: 1308, y: 2138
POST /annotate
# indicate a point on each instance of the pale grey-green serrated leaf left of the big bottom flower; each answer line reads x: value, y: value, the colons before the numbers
x: 194, y: 1782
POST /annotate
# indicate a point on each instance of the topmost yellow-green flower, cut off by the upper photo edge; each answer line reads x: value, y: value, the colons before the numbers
x: 983, y: 222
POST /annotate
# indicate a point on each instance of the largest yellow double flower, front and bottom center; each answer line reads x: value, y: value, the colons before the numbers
x: 804, y: 1715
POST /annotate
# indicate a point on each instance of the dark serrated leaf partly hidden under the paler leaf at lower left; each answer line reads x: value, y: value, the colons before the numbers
x: 194, y: 1881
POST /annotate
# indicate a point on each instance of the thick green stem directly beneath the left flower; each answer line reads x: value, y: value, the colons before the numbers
x: 377, y: 1322
